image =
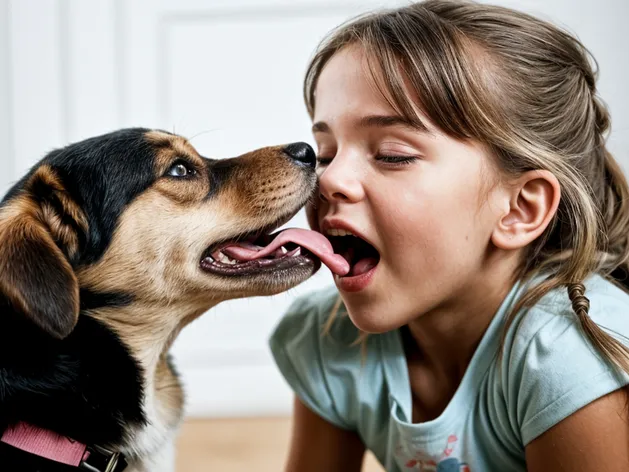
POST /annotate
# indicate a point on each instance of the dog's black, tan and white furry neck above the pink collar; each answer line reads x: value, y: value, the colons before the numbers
x: 125, y: 393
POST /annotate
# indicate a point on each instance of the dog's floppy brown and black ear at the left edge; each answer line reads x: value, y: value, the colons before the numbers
x: 38, y: 233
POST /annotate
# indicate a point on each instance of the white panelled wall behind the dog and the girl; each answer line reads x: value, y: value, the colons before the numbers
x: 227, y: 74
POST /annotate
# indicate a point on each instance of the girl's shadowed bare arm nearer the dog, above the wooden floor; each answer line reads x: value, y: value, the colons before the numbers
x: 318, y: 445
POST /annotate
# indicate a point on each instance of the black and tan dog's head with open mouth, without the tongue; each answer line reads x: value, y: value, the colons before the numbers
x: 139, y: 216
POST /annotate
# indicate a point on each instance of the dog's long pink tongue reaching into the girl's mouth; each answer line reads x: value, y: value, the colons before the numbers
x: 311, y: 240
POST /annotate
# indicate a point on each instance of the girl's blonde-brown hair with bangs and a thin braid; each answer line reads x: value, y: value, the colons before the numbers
x: 527, y: 90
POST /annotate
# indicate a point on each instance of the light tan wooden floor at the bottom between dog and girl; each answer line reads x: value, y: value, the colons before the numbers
x: 238, y: 445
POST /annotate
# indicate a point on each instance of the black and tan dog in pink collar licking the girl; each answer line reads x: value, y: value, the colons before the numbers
x: 108, y: 248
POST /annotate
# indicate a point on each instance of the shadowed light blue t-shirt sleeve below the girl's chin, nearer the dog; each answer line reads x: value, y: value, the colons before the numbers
x: 296, y: 345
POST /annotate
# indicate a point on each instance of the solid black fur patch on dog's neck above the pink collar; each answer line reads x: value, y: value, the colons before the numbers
x: 86, y: 386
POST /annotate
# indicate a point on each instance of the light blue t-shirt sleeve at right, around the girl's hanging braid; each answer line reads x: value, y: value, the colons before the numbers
x: 554, y: 370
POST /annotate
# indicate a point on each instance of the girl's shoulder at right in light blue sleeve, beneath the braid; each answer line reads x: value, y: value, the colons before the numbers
x: 549, y: 368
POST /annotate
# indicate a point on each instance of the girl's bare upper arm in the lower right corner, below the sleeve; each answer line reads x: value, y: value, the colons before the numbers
x: 593, y: 439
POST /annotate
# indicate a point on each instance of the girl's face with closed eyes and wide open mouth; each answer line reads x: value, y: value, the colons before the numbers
x: 419, y: 202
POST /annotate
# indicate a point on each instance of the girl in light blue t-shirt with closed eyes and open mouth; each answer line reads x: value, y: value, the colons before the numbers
x: 464, y: 176
